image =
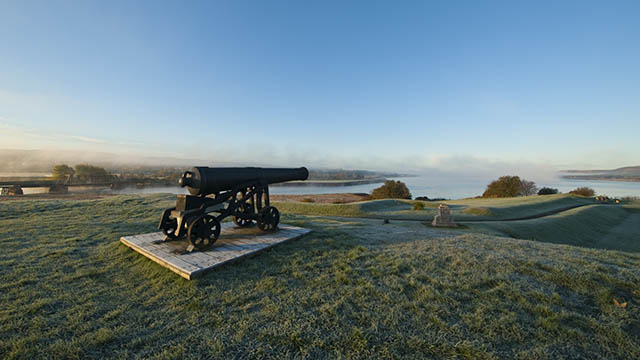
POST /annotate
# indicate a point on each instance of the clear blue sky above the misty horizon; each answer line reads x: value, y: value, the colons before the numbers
x: 375, y: 84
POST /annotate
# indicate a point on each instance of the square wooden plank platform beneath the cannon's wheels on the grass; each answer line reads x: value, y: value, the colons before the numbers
x: 234, y: 243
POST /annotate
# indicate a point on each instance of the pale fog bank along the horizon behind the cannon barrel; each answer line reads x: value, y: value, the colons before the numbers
x: 43, y: 160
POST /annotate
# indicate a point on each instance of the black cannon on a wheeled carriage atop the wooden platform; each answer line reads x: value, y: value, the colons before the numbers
x: 216, y: 193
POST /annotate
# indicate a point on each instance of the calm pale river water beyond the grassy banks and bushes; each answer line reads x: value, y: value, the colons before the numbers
x: 433, y: 187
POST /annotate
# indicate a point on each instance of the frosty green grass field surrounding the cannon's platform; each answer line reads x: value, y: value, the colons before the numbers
x: 352, y: 288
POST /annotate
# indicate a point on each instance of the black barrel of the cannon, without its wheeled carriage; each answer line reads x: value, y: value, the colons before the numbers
x: 202, y: 180
